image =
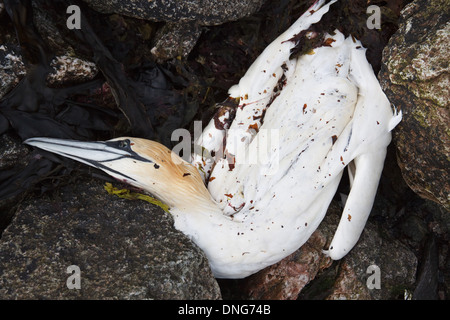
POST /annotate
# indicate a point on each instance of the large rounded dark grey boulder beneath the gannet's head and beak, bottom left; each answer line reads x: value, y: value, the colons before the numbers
x: 124, y: 250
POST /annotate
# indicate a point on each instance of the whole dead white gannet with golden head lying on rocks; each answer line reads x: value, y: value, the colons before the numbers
x: 326, y: 110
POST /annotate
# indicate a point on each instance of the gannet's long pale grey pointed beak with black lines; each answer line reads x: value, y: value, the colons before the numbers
x: 103, y: 155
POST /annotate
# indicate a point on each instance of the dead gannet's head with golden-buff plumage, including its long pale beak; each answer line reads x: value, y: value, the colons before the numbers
x: 139, y: 162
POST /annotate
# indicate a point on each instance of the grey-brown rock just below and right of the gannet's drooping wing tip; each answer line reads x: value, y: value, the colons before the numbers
x: 379, y: 267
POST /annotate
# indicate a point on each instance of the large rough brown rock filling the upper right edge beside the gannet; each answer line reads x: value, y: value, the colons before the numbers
x: 415, y: 77
